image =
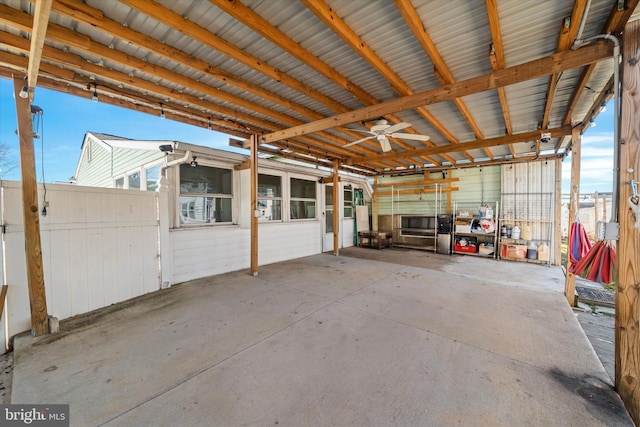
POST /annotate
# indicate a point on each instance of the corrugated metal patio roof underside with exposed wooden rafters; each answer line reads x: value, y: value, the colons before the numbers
x: 273, y: 88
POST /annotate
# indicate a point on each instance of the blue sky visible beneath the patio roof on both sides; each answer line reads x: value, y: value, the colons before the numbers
x: 67, y: 118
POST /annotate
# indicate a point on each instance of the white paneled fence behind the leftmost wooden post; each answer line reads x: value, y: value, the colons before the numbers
x: 99, y: 247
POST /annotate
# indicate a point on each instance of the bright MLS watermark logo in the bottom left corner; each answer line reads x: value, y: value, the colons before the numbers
x: 34, y: 415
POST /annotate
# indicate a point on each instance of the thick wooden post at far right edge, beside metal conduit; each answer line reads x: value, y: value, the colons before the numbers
x: 627, y: 342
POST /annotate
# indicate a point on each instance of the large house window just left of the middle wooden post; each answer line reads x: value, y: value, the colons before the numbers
x: 205, y: 195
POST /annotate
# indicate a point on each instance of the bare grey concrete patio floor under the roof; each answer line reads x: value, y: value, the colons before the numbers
x: 418, y: 339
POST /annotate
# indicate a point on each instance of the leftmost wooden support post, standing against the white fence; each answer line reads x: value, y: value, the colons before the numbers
x: 31, y: 215
